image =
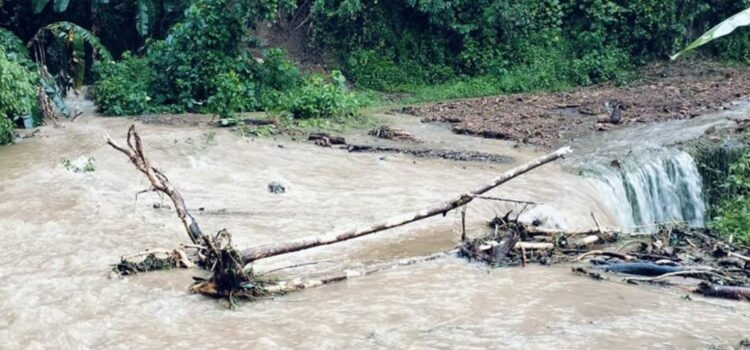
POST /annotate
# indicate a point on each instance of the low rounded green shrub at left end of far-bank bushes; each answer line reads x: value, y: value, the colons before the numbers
x: 121, y: 88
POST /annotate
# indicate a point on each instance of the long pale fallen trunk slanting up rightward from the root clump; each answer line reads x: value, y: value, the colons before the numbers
x: 274, y: 249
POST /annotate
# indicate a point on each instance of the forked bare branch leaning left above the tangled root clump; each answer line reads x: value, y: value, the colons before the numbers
x: 158, y: 180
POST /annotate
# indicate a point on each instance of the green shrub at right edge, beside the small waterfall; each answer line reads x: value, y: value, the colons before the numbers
x: 733, y: 214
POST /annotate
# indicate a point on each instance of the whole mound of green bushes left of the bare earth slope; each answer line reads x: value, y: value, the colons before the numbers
x: 203, y: 65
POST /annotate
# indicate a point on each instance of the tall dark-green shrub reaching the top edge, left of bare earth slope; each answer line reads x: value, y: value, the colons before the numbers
x: 207, y: 43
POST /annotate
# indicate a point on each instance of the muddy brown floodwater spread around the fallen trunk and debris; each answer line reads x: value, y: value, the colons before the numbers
x: 61, y: 230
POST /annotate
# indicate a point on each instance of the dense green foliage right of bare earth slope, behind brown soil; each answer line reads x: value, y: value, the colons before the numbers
x: 397, y: 45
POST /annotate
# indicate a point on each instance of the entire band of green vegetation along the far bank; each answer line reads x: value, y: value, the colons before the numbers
x: 202, y: 56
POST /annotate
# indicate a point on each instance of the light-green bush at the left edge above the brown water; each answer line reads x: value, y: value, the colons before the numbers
x: 17, y: 95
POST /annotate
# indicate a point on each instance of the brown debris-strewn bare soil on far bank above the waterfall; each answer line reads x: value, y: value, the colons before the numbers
x: 667, y: 91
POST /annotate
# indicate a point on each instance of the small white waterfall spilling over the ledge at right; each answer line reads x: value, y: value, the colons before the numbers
x: 656, y: 186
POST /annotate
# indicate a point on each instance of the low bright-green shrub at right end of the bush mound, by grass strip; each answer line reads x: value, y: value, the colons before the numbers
x: 319, y: 98
